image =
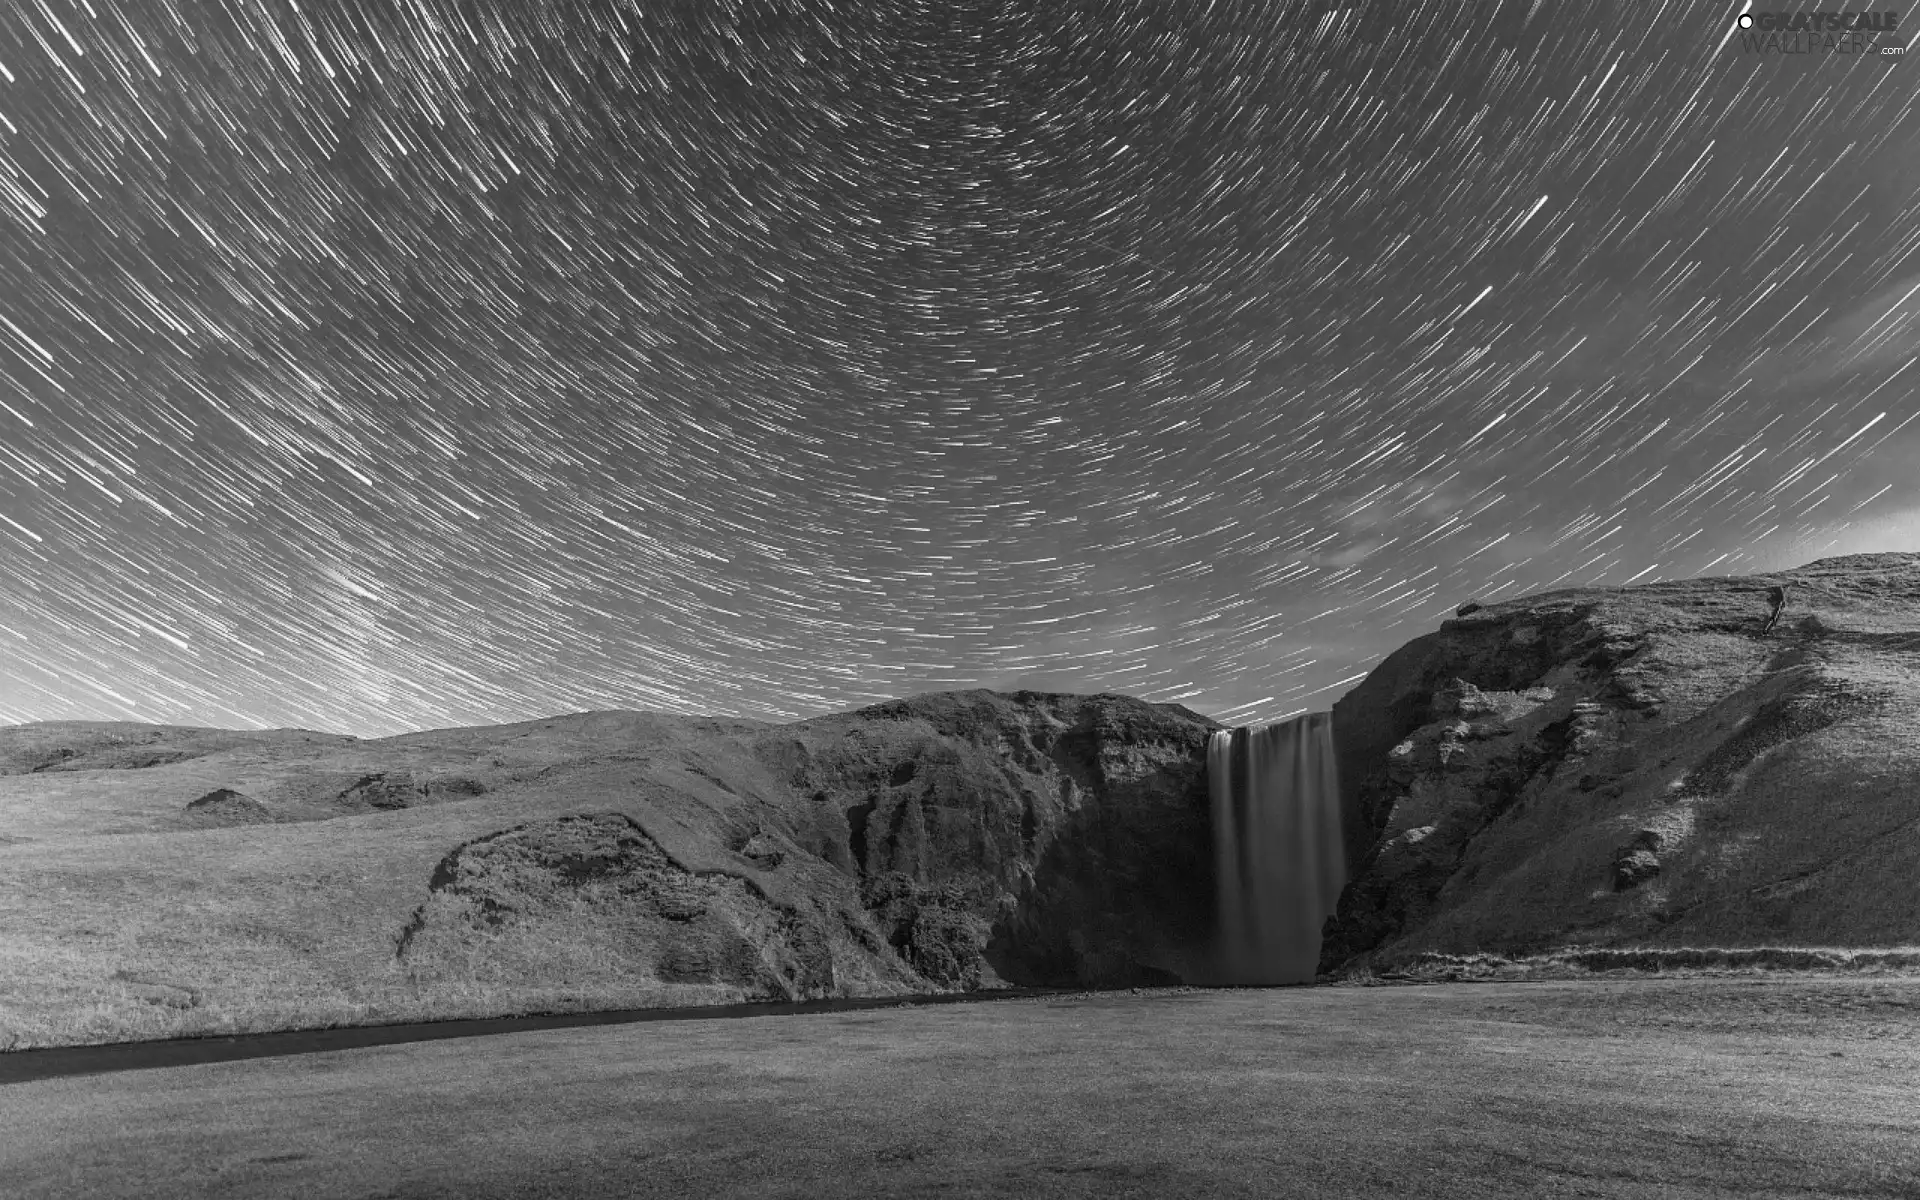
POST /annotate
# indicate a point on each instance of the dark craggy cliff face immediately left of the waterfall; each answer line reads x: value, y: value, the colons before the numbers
x: 1042, y: 840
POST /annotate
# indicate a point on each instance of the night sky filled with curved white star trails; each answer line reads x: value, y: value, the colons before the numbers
x: 396, y: 366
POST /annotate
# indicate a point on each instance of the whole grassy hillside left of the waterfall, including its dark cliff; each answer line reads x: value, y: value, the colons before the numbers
x: 162, y: 882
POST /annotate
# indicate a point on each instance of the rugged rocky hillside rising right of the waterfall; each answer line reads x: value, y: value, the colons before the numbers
x: 1702, y: 763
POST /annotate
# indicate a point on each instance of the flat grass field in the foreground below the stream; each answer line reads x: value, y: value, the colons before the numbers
x: 1646, y: 1088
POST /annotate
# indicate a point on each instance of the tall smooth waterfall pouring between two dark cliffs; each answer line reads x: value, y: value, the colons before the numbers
x: 1278, y: 850
